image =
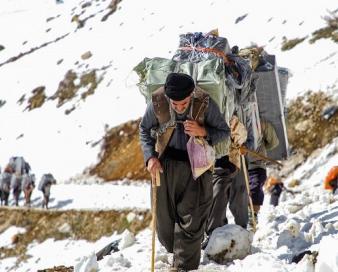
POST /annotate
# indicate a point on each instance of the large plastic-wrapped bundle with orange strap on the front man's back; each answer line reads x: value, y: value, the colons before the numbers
x: 226, y: 77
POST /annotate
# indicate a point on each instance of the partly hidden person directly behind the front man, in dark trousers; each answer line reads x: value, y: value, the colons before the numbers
x: 228, y: 183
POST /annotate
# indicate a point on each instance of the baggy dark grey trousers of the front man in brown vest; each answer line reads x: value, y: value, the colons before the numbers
x: 183, y: 206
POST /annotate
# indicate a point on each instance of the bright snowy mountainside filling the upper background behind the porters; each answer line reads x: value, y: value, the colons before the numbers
x: 43, y: 40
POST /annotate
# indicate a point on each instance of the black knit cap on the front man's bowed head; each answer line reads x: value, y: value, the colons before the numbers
x: 178, y: 86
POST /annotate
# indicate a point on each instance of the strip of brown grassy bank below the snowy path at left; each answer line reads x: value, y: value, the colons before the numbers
x: 41, y: 225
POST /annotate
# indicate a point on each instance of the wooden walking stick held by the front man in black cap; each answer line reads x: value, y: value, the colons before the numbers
x: 155, y: 181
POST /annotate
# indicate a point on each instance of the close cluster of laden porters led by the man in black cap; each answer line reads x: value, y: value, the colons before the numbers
x: 215, y: 120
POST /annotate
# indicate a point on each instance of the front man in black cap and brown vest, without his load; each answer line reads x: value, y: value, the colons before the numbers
x: 176, y: 112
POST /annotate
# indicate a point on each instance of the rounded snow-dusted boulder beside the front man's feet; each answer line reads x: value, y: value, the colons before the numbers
x: 228, y: 243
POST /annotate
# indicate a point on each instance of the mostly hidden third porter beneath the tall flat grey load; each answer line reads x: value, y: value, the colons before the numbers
x: 257, y: 167
